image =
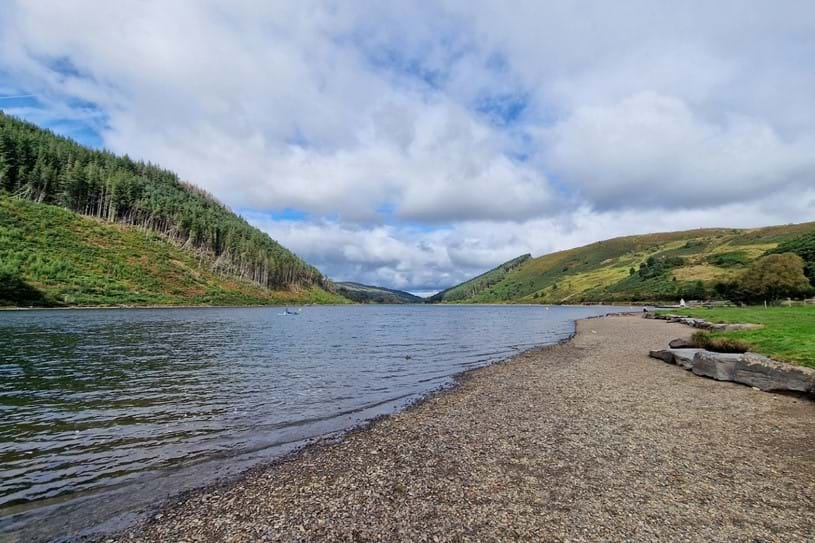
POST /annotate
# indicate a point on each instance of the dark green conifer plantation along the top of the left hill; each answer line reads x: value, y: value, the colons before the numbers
x: 42, y: 167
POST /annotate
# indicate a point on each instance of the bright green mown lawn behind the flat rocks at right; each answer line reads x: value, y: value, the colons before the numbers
x: 788, y: 334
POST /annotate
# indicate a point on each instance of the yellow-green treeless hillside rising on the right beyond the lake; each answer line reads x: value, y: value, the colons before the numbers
x: 652, y: 267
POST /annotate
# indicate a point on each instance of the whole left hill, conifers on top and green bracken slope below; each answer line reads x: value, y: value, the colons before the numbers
x: 130, y: 208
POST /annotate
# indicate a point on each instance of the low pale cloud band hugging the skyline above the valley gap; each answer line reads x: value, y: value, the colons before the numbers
x: 420, y: 260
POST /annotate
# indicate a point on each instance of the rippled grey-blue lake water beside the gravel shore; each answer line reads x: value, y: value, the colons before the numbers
x: 105, y: 412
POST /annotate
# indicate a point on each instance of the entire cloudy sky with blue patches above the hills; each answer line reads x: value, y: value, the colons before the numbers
x: 415, y: 144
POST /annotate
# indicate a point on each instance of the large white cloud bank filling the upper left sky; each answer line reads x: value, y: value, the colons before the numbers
x: 274, y: 109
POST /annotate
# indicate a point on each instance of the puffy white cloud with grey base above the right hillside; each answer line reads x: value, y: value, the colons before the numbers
x: 653, y: 150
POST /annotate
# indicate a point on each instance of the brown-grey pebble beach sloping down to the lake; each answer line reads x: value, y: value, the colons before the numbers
x: 586, y: 441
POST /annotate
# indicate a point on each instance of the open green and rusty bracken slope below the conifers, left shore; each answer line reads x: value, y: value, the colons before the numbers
x: 52, y: 256
